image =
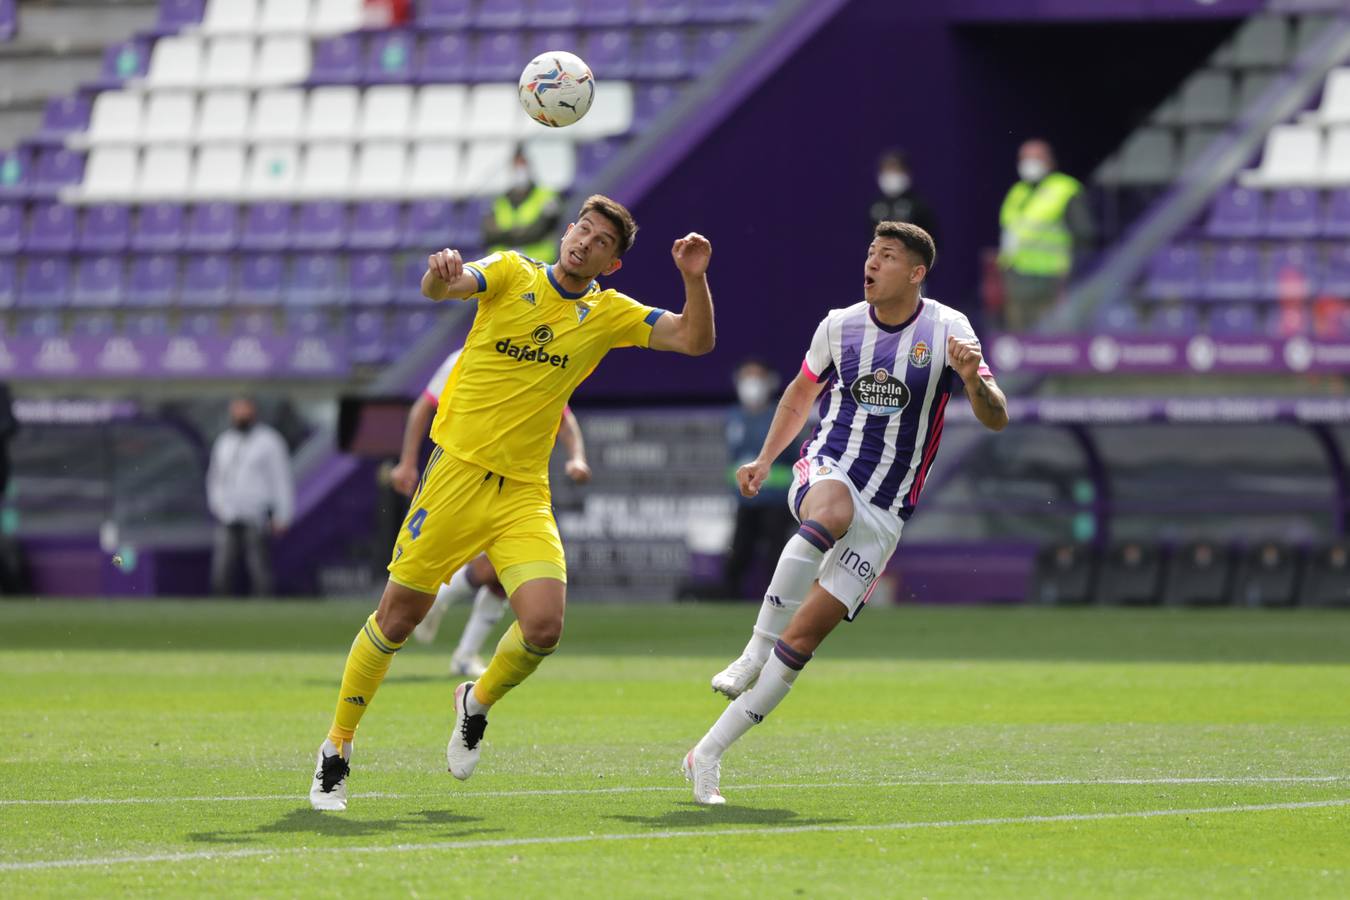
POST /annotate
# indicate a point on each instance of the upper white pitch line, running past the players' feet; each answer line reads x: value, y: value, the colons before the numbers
x: 658, y: 789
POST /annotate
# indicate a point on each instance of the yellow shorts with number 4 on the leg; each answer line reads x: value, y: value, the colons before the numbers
x: 461, y: 511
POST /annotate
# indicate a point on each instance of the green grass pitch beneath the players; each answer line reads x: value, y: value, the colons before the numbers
x: 165, y: 750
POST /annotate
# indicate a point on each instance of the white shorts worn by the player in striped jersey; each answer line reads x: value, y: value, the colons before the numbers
x: 853, y: 567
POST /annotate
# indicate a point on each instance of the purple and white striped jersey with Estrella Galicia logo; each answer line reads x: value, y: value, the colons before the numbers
x: 888, y: 389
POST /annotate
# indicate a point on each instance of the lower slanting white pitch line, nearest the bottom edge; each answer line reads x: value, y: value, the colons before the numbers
x: 659, y: 836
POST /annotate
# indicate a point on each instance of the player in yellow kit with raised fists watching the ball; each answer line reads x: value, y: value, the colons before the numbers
x: 539, y: 331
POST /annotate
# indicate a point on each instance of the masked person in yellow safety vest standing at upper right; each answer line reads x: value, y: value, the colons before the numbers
x: 1044, y: 221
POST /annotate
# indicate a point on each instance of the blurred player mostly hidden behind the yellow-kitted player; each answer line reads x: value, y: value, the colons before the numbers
x: 477, y: 580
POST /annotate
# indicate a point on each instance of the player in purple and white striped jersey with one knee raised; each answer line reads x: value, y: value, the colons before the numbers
x: 888, y: 368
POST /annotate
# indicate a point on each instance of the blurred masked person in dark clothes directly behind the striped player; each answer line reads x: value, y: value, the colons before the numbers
x: 763, y: 523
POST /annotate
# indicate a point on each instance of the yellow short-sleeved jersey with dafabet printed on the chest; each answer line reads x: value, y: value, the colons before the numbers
x: 531, y: 346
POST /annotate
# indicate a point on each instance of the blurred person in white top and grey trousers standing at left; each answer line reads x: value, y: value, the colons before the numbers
x: 252, y: 495
